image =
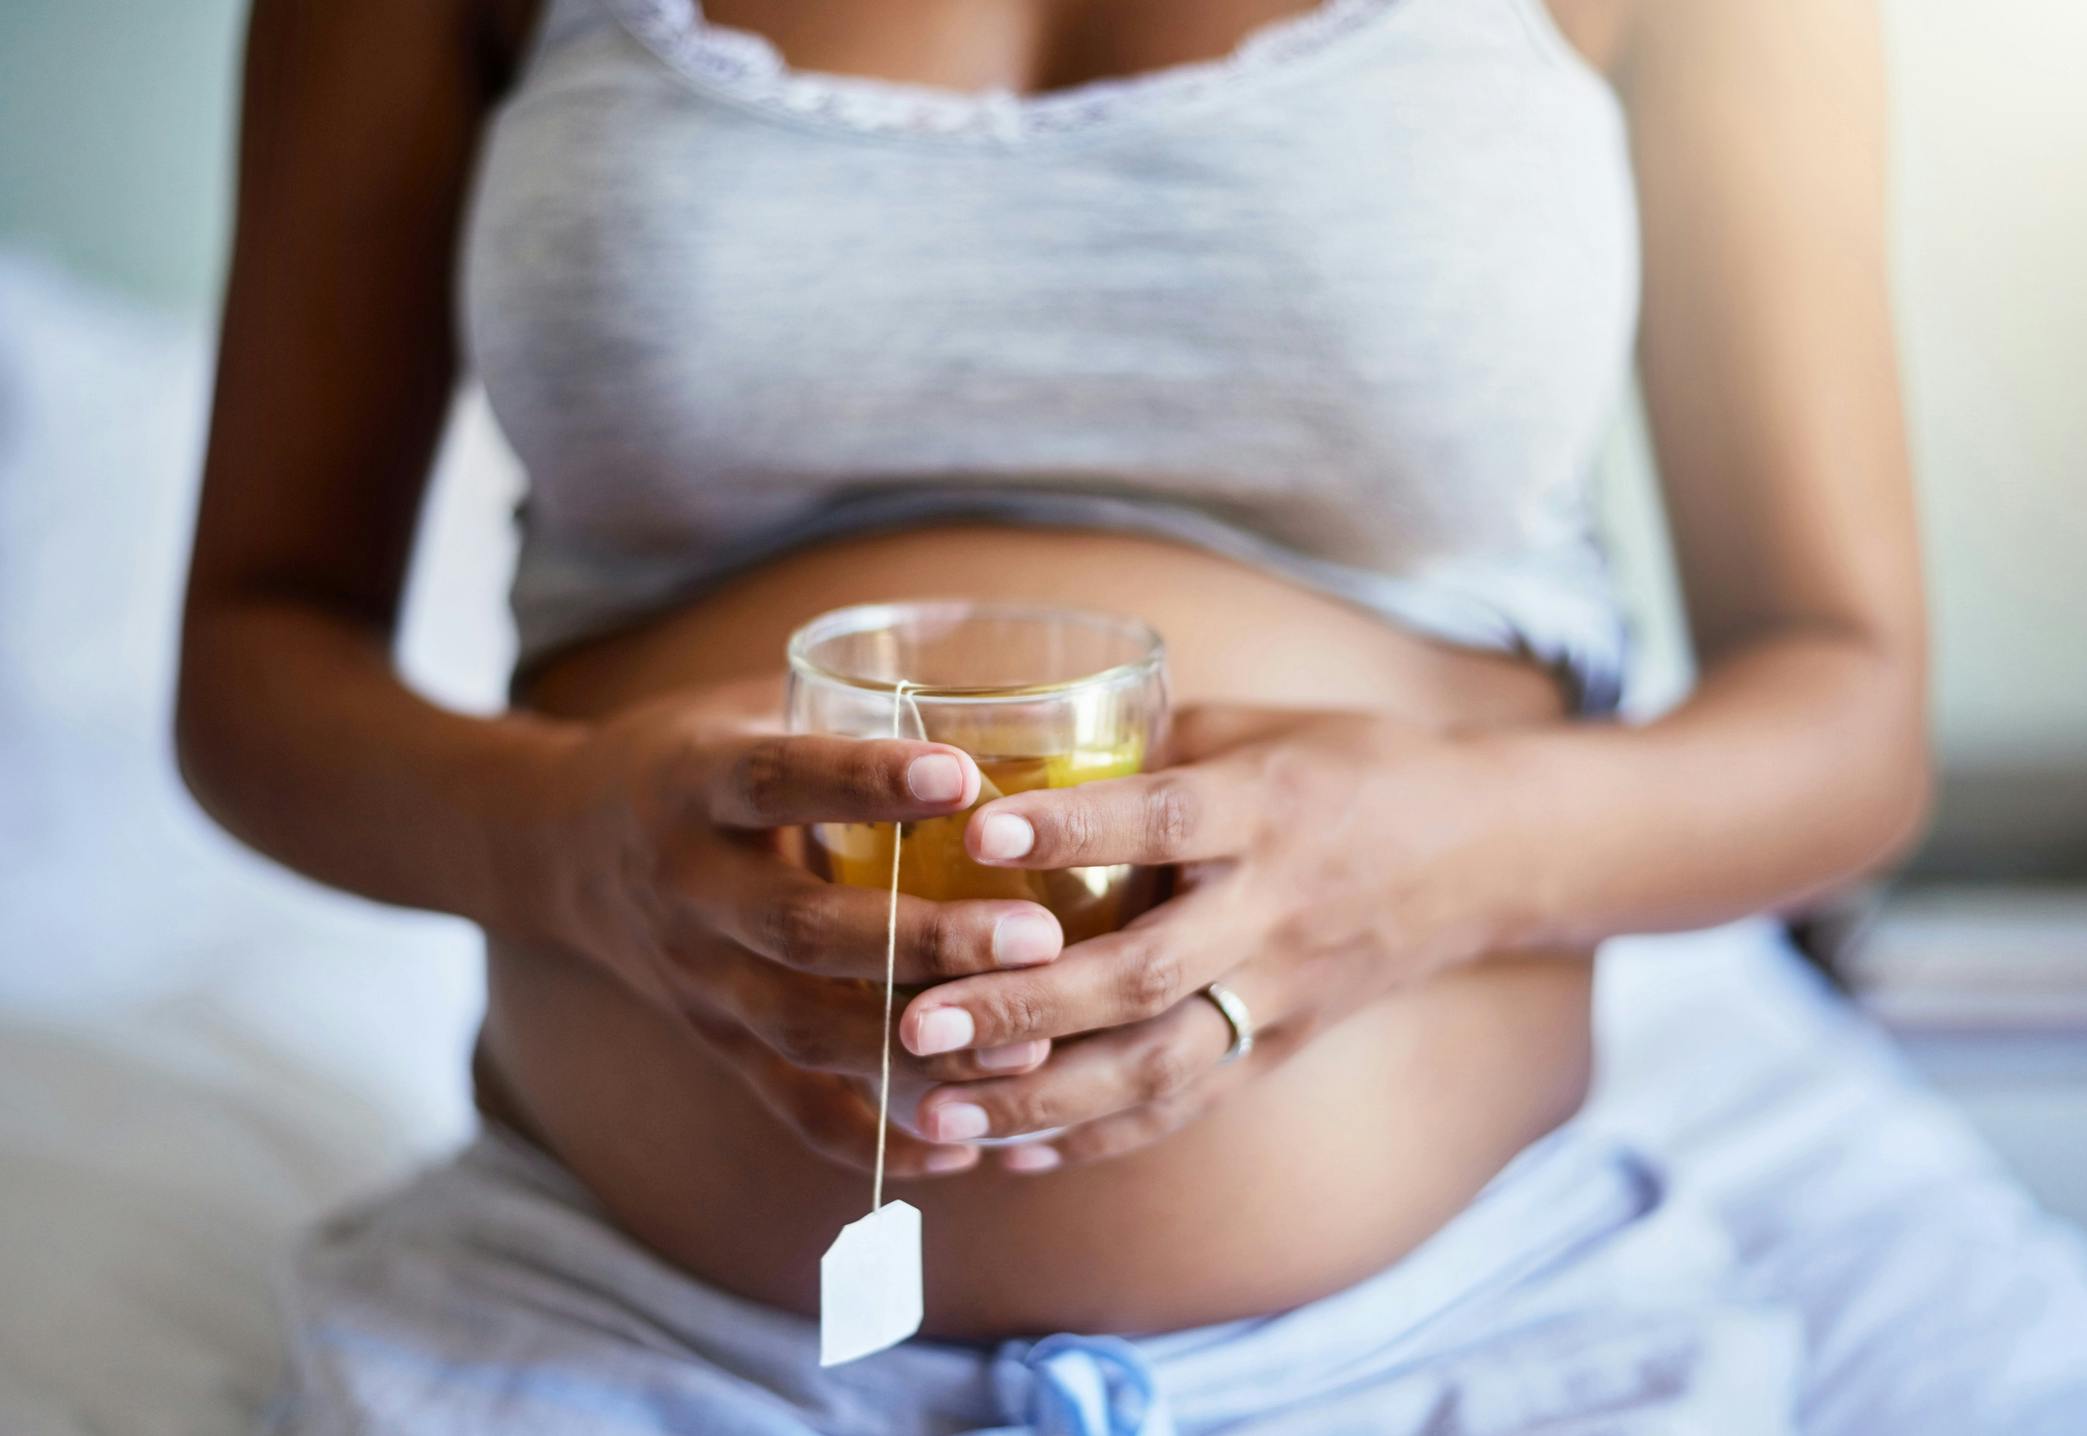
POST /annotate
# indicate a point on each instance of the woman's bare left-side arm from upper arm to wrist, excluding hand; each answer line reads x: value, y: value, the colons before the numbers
x: 335, y: 377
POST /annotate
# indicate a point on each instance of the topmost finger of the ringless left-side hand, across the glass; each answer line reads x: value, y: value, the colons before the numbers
x: 784, y: 780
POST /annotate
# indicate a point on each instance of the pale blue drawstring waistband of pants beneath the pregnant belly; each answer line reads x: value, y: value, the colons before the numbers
x: 1564, y: 1193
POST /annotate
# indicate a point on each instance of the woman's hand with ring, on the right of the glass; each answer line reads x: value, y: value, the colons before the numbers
x: 1324, y: 859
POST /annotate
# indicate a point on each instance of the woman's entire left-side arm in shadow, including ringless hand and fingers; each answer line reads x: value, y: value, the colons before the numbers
x: 640, y: 846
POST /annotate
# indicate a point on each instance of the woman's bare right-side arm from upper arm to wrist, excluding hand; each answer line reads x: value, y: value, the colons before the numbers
x: 1773, y: 391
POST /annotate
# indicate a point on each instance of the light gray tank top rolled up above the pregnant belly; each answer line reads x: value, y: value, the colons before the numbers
x: 1353, y: 306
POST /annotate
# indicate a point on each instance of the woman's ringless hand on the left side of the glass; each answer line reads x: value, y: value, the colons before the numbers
x: 669, y: 832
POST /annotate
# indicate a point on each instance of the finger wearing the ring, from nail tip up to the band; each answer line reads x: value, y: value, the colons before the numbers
x: 1093, y: 1078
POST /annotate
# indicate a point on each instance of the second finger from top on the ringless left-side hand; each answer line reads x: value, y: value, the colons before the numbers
x: 830, y: 930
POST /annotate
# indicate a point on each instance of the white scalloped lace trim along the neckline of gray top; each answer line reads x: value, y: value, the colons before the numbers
x: 752, y: 70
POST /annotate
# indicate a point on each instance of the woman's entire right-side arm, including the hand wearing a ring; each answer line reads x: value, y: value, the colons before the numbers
x: 1335, y: 857
